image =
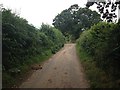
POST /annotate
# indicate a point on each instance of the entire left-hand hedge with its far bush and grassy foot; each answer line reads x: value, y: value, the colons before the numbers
x: 23, y: 45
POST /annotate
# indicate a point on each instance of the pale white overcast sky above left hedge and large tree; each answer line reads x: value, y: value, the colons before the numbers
x: 37, y: 12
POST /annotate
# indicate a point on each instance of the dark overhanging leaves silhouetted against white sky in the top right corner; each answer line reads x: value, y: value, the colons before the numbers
x: 107, y: 8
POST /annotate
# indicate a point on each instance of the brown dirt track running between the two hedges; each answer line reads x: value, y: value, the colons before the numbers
x: 63, y: 70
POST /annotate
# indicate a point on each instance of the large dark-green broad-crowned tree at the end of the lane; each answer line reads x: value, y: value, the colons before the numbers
x: 74, y: 20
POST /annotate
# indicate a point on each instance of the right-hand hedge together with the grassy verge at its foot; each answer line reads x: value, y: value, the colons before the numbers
x: 99, y: 51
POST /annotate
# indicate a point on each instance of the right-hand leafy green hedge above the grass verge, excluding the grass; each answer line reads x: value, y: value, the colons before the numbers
x: 102, y: 43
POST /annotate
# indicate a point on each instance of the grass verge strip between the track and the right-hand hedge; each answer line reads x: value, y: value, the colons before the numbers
x: 96, y: 76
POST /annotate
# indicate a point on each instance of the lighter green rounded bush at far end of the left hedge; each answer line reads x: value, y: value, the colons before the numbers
x: 57, y: 39
